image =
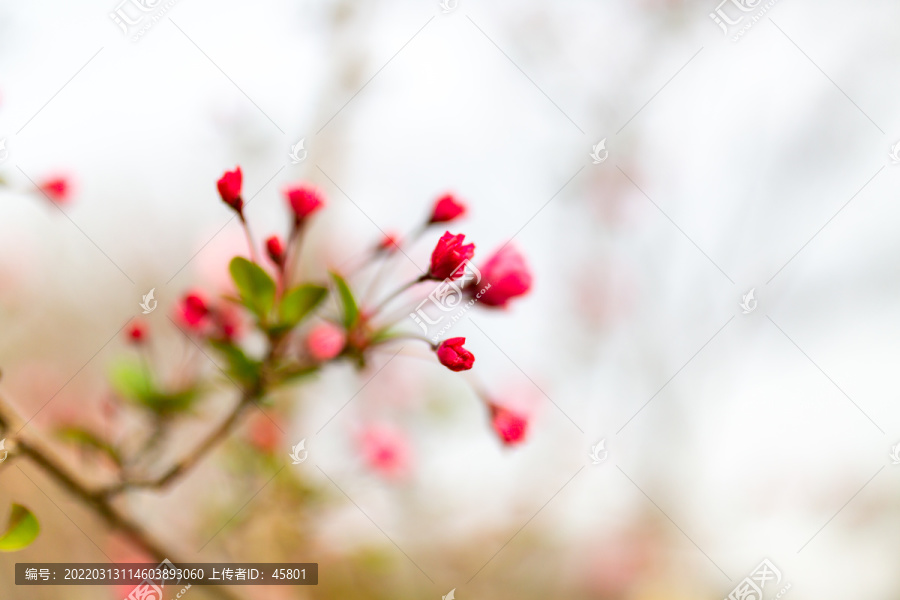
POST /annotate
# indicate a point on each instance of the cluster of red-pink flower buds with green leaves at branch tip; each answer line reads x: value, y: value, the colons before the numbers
x: 301, y: 336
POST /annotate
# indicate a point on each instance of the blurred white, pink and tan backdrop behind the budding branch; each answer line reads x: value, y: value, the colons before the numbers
x: 753, y: 159
